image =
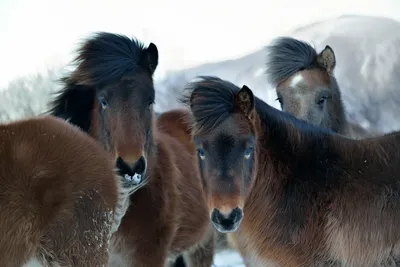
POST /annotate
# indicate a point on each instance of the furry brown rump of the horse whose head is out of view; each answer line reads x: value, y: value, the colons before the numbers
x: 59, y: 195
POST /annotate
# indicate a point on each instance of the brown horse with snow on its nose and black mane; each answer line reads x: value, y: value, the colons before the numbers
x: 110, y: 95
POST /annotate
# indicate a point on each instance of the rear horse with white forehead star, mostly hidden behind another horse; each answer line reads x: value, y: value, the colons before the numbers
x: 306, y: 86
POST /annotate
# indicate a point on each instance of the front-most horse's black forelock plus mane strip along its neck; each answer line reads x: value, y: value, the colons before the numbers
x: 215, y: 102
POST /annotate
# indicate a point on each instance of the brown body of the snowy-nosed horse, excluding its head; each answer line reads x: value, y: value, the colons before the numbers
x: 173, y: 213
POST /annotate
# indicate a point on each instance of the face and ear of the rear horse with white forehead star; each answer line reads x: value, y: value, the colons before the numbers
x: 313, y: 94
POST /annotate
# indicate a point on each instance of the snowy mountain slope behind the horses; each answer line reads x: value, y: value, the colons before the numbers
x: 368, y: 68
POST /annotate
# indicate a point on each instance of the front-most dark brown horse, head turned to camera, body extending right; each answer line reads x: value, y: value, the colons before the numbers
x: 295, y: 194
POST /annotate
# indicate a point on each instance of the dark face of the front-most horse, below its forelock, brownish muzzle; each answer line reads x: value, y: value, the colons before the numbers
x: 226, y: 160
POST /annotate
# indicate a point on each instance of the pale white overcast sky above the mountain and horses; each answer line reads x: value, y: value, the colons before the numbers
x: 37, y: 34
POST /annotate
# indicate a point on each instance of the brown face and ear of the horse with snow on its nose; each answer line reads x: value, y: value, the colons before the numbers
x: 126, y: 112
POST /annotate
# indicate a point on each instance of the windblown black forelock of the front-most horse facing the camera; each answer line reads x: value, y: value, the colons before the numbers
x: 211, y: 100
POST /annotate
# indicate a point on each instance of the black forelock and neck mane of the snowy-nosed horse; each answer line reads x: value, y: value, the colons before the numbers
x: 102, y: 58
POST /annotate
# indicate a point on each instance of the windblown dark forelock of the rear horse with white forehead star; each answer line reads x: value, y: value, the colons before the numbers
x: 286, y: 56
